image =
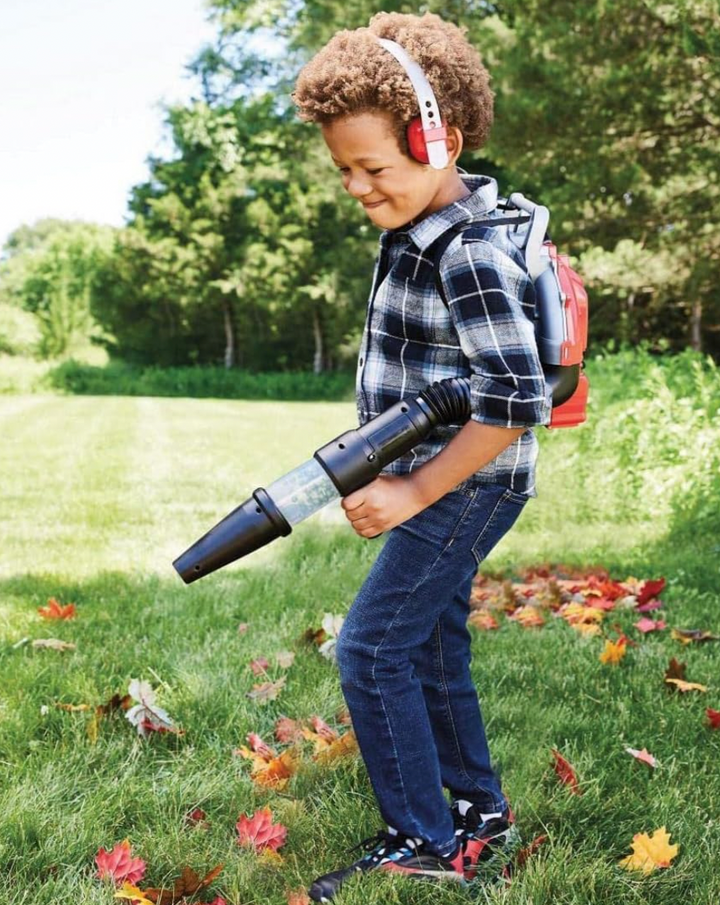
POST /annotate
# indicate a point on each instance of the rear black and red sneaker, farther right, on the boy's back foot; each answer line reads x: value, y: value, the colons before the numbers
x: 488, y: 841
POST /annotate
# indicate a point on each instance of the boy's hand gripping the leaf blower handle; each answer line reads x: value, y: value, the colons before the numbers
x: 382, y: 504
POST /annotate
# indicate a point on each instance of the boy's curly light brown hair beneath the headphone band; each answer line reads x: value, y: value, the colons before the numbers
x: 354, y: 74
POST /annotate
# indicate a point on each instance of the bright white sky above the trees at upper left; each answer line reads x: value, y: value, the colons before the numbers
x: 80, y: 86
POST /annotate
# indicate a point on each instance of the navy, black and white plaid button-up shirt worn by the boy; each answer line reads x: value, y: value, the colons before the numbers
x: 486, y: 333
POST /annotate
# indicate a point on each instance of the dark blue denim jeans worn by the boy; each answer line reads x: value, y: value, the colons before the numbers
x: 404, y: 659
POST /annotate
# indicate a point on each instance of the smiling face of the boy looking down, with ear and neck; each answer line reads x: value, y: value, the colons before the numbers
x: 373, y: 169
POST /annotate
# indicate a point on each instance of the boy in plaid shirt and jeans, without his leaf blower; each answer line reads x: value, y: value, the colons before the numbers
x: 404, y: 650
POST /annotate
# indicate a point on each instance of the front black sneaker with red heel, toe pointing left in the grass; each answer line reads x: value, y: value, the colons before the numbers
x: 396, y: 853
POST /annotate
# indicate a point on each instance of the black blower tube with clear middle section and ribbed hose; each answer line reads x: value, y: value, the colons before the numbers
x: 348, y: 462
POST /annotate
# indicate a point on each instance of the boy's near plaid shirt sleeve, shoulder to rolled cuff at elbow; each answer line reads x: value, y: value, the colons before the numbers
x: 491, y: 300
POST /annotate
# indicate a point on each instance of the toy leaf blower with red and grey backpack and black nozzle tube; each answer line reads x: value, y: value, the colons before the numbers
x: 356, y: 457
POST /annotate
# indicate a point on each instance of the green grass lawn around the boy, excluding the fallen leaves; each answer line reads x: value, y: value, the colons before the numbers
x: 98, y: 495
